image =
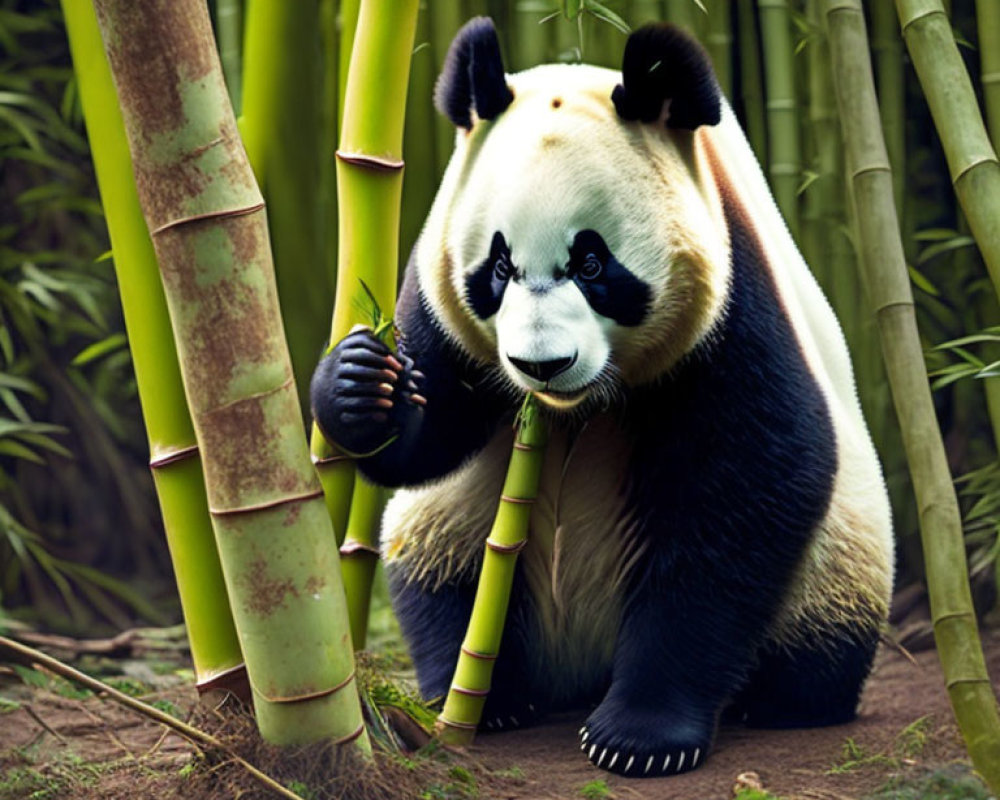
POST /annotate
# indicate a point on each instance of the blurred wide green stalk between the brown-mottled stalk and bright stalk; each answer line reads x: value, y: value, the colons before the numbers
x: 282, y: 134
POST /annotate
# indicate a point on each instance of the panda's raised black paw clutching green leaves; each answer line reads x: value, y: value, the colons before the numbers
x: 363, y: 394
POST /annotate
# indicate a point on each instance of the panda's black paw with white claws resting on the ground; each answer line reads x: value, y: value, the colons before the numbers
x: 646, y: 742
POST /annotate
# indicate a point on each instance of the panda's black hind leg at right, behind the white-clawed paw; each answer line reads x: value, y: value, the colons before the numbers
x: 809, y: 684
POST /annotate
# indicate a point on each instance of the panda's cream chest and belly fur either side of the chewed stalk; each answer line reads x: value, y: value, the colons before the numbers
x: 581, y: 542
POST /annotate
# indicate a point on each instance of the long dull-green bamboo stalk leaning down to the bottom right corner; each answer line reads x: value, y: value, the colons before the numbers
x: 889, y: 291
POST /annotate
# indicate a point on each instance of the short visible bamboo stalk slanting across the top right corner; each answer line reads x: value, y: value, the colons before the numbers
x: 975, y: 171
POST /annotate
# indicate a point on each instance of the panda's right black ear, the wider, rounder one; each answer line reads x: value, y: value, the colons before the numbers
x: 662, y: 63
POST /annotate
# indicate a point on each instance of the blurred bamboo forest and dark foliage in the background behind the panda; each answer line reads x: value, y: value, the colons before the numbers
x: 79, y: 524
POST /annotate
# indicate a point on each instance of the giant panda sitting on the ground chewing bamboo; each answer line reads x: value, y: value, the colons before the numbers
x: 712, y: 532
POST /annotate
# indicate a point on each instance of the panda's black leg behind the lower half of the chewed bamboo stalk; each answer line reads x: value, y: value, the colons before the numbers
x: 434, y: 623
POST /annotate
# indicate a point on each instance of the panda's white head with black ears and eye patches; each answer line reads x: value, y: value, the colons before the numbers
x: 577, y: 238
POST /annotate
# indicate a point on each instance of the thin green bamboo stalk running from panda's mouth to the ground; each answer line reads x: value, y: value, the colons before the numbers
x: 463, y: 707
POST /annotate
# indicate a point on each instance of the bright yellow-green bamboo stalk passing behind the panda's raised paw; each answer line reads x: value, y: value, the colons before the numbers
x: 369, y: 183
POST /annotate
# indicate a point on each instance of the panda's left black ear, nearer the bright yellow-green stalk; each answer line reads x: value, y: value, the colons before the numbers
x: 473, y: 76
